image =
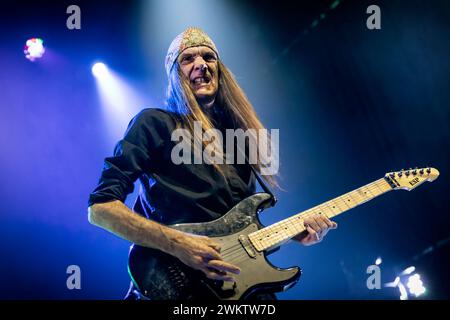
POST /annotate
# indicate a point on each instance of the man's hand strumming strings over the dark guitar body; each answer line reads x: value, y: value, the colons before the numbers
x: 202, y: 253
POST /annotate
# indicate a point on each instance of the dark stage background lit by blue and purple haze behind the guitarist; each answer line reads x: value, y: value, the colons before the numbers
x: 351, y: 104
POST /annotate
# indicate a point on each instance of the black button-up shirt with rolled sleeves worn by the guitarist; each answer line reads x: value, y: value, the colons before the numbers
x: 170, y: 193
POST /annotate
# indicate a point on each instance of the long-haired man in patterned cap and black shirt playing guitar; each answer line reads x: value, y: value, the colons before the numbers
x: 200, y: 89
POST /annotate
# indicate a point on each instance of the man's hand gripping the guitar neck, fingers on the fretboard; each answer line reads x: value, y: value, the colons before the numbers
x: 317, y: 226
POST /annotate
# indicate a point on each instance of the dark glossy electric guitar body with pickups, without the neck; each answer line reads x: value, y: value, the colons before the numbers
x: 160, y: 276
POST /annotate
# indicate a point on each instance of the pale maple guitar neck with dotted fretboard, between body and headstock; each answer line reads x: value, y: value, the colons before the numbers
x: 276, y: 234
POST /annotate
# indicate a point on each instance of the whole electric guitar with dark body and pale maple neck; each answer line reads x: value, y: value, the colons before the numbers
x: 246, y: 243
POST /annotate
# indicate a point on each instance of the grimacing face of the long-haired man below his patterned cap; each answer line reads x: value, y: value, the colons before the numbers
x: 199, y: 65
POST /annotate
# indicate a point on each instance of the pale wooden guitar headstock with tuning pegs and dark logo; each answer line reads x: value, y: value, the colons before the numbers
x: 412, y: 178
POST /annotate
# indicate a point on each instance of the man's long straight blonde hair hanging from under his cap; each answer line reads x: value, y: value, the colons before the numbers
x: 181, y: 100
